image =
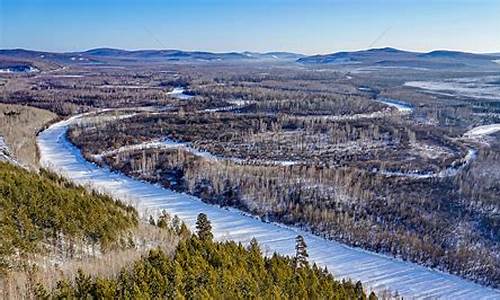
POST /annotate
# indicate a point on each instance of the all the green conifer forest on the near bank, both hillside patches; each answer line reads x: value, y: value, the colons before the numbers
x: 43, y: 213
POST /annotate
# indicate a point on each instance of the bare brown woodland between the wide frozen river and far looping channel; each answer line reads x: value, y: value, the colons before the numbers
x: 328, y: 189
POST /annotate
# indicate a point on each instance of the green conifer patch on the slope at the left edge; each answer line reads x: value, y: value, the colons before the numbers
x: 40, y: 213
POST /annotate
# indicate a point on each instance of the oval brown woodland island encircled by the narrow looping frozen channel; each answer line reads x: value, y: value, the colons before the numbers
x: 367, y: 144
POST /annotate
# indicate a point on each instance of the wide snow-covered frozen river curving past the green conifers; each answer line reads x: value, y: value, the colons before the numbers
x: 376, y: 271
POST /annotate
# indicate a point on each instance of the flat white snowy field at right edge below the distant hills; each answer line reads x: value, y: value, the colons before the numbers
x: 485, y: 87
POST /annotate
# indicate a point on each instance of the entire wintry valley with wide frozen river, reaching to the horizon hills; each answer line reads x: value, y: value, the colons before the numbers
x: 386, y: 161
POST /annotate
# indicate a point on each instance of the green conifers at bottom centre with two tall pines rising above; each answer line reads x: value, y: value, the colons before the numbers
x: 204, y: 269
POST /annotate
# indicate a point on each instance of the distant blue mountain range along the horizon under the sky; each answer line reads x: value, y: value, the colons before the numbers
x: 381, y: 57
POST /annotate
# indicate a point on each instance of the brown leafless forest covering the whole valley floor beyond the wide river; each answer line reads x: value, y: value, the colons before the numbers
x: 318, y: 148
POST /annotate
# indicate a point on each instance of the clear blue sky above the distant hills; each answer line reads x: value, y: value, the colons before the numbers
x: 308, y: 26
